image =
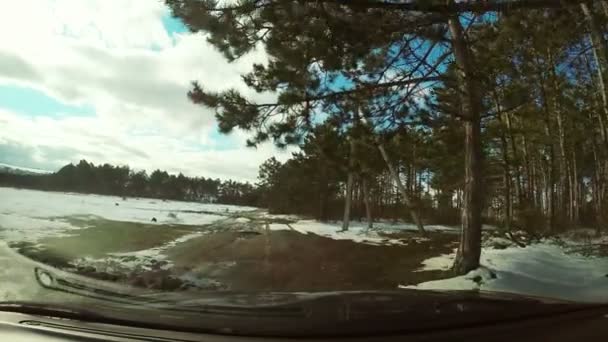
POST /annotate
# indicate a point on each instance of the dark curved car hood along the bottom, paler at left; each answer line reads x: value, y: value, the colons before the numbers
x: 33, y: 287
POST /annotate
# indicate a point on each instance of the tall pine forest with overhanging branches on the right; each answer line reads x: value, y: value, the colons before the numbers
x: 476, y: 110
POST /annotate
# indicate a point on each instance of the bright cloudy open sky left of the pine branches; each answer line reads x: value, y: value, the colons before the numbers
x: 106, y: 81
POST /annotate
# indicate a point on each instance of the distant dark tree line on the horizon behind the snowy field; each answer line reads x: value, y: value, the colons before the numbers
x: 106, y: 179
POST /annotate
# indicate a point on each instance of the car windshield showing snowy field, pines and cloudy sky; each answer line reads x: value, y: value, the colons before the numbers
x: 199, y: 149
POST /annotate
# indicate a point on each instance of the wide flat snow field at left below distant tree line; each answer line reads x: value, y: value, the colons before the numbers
x: 30, y: 214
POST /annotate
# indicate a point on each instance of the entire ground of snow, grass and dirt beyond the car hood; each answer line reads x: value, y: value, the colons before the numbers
x: 193, y: 246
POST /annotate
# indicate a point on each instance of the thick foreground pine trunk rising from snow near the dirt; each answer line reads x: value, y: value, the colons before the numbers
x: 469, y: 250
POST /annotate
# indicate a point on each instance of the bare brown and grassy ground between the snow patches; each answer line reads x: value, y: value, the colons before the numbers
x: 244, y: 256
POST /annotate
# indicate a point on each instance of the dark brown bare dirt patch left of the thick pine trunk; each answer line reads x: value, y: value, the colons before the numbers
x: 290, y: 261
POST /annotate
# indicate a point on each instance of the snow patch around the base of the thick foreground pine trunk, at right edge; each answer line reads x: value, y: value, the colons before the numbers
x: 542, y: 270
